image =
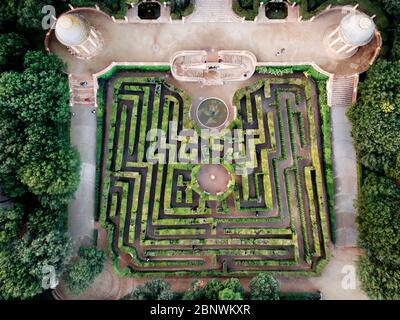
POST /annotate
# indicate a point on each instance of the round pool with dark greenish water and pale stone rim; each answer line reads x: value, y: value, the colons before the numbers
x: 212, y: 113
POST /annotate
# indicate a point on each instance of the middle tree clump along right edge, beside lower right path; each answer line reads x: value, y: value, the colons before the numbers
x: 379, y: 220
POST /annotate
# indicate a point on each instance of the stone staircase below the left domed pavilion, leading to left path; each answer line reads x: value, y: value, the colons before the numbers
x: 82, y: 92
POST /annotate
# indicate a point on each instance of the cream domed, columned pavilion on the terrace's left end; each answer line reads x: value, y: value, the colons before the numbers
x: 82, y: 40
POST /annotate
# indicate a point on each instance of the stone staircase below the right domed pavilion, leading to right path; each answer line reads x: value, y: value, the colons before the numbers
x: 342, y: 91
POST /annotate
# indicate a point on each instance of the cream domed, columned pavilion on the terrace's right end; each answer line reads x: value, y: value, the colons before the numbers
x: 354, y: 31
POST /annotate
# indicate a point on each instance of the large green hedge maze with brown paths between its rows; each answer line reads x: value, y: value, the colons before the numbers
x: 273, y: 218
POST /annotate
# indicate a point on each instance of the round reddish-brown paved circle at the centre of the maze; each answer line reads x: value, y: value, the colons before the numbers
x: 214, y: 178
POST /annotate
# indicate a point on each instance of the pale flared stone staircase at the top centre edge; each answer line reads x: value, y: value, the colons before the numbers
x: 213, y: 11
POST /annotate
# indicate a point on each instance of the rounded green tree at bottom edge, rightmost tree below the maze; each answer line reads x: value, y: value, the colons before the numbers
x: 264, y: 287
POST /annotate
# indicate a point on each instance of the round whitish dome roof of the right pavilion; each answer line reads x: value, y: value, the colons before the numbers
x: 357, y: 29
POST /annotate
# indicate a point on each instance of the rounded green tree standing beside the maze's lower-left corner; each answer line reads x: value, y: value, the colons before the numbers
x: 82, y: 272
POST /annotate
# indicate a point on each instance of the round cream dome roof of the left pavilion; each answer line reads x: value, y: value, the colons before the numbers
x: 72, y: 30
